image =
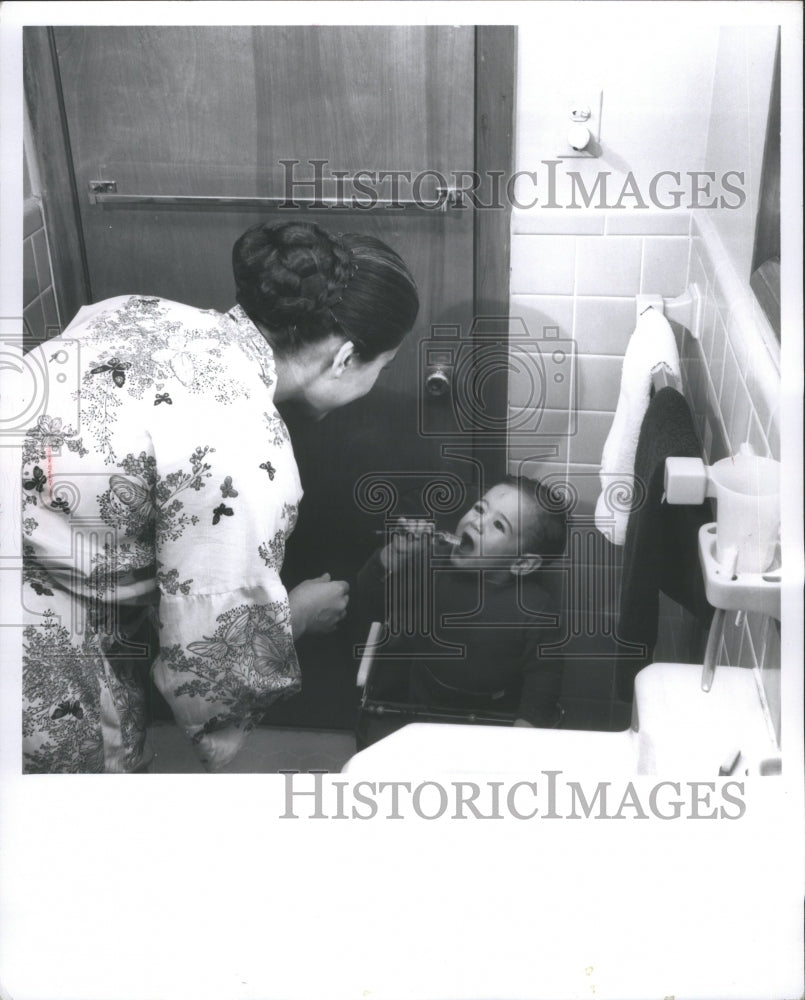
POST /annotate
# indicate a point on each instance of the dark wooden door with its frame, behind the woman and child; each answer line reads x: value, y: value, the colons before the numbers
x: 192, y: 124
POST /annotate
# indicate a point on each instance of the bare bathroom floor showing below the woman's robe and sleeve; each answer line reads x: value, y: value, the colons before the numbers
x: 268, y: 751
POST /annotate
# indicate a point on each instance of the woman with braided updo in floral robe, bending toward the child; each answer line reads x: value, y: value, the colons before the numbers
x: 159, y: 486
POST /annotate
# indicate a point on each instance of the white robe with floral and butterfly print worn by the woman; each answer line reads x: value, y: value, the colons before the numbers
x: 159, y: 486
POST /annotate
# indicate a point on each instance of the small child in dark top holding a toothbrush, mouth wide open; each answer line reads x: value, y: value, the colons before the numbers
x: 465, y: 614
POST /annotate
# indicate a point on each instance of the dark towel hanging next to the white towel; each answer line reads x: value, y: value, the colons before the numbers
x: 661, y: 551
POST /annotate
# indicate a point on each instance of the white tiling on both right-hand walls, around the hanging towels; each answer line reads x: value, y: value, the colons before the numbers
x: 574, y: 279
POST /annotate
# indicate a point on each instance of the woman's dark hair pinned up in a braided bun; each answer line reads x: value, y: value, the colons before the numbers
x: 301, y: 284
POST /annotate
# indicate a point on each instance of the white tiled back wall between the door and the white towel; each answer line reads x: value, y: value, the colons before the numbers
x: 575, y: 276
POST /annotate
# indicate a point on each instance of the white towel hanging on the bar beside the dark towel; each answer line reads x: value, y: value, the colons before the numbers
x: 652, y: 346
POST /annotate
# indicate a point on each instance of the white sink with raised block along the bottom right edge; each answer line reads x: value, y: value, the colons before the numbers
x: 679, y: 731
